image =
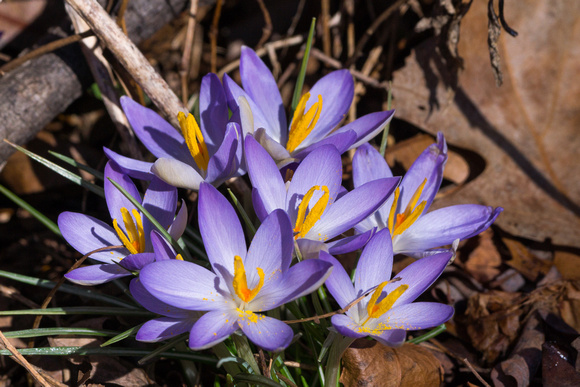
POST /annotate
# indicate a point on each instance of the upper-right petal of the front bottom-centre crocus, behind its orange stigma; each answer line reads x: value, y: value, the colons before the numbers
x: 271, y: 248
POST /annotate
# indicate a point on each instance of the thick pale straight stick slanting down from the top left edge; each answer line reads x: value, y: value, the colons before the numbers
x: 130, y: 57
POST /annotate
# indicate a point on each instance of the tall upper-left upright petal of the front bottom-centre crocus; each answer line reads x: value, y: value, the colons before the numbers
x: 220, y: 229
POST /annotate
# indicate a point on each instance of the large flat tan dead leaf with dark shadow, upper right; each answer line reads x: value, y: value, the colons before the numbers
x: 526, y: 130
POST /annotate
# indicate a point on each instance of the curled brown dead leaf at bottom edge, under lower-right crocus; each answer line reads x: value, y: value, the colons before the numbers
x: 369, y: 363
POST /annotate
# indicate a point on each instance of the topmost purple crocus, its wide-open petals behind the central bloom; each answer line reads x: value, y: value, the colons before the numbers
x: 316, y: 116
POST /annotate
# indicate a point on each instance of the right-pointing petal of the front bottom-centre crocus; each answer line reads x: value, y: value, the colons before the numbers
x: 301, y: 279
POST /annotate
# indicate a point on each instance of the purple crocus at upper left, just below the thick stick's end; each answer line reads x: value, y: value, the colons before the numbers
x: 208, y: 152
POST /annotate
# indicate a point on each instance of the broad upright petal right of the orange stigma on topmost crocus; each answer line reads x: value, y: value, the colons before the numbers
x: 337, y: 91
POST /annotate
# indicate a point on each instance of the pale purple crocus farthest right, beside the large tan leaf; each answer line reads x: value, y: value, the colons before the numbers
x: 414, y: 231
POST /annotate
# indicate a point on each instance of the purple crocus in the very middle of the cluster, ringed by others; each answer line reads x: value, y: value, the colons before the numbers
x: 314, y: 198
